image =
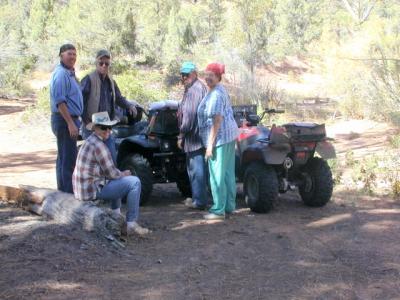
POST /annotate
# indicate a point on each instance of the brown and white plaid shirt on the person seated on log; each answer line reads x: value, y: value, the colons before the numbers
x: 93, y: 165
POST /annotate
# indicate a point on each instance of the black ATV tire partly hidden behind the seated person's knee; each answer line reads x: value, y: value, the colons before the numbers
x: 140, y: 167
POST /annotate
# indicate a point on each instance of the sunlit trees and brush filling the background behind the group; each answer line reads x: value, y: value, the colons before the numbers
x: 350, y: 46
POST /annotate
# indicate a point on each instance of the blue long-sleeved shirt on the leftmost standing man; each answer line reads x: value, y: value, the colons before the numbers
x: 64, y: 87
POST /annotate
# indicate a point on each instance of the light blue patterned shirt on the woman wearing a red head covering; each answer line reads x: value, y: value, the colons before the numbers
x: 217, y: 102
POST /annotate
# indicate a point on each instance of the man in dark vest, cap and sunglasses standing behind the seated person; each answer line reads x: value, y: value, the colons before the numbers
x: 101, y: 93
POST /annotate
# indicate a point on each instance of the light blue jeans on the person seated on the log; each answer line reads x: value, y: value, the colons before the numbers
x: 116, y: 189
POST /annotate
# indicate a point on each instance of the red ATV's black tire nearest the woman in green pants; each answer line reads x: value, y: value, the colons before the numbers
x: 260, y: 187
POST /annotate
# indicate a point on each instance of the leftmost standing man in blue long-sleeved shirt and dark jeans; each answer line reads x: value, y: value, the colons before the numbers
x: 66, y: 105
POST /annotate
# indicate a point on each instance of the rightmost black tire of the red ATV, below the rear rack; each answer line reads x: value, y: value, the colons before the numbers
x: 318, y: 183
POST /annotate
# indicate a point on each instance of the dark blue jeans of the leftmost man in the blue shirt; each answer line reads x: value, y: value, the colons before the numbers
x: 66, y: 152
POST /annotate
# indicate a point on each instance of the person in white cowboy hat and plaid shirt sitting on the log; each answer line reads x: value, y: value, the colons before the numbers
x: 94, y: 164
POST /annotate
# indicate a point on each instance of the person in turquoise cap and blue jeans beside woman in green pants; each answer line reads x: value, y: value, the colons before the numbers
x: 189, y: 139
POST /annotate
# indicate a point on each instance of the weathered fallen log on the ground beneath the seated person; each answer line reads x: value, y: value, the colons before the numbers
x: 63, y: 208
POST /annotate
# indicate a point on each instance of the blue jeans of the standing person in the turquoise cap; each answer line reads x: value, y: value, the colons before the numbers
x: 196, y: 168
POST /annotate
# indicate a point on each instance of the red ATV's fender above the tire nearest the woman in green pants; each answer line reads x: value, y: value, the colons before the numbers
x: 267, y: 153
